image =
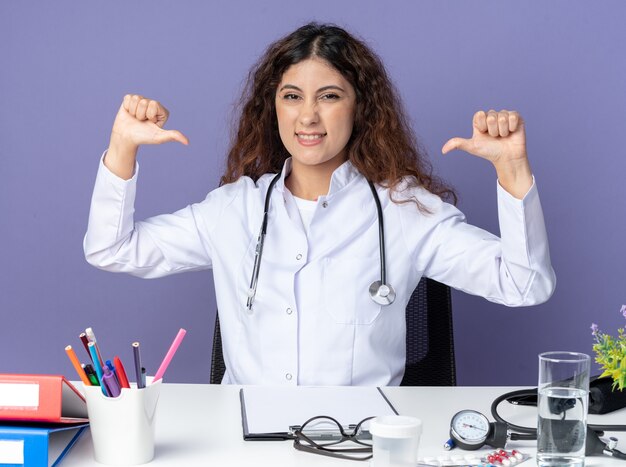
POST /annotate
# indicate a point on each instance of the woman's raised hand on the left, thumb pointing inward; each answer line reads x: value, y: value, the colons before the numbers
x: 139, y: 121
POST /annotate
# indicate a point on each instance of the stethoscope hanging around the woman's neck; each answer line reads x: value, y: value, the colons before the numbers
x: 380, y: 291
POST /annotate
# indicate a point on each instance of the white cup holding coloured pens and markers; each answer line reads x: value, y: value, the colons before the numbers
x: 122, y: 428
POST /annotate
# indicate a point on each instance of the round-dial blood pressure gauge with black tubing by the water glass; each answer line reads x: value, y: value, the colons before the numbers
x: 471, y: 430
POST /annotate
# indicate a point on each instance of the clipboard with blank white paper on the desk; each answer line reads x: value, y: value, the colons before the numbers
x: 269, y: 413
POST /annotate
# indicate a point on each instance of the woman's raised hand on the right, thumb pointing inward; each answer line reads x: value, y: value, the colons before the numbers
x: 499, y: 137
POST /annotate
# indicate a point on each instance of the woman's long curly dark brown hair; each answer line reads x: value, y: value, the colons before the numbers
x: 382, y: 146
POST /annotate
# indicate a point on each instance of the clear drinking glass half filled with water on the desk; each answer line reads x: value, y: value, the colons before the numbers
x: 563, y: 402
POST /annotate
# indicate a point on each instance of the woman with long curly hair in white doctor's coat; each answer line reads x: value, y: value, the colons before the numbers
x: 305, y: 303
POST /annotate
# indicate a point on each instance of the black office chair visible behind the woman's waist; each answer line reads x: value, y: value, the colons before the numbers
x: 429, y: 339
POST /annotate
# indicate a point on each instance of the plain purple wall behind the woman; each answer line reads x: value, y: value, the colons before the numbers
x: 64, y: 67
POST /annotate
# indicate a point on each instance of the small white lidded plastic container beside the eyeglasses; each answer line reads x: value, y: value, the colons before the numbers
x: 395, y: 441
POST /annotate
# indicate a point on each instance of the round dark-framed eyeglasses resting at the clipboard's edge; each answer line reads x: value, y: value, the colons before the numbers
x: 322, y: 434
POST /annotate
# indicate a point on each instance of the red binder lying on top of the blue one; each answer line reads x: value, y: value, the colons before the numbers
x: 40, y: 398
